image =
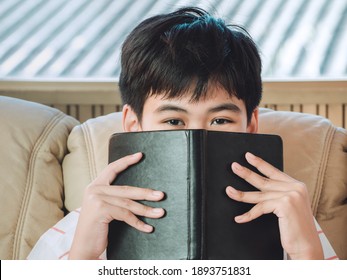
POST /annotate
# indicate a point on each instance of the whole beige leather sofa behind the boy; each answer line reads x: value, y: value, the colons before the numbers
x: 48, y: 158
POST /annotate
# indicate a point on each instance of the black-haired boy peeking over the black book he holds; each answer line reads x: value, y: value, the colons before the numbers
x: 188, y: 70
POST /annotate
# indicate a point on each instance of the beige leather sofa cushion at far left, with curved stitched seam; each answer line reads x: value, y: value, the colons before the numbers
x: 33, y: 145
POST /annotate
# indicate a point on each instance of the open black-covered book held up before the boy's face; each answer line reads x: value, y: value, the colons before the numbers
x: 193, y: 169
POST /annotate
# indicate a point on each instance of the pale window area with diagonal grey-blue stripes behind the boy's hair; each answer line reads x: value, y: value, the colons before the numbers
x: 82, y: 38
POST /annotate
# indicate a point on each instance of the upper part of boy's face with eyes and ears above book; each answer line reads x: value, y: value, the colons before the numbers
x: 218, y: 111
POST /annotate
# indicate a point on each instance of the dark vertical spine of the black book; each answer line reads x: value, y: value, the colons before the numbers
x: 195, y: 194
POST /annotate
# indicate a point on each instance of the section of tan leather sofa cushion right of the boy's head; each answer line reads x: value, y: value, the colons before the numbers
x: 315, y: 152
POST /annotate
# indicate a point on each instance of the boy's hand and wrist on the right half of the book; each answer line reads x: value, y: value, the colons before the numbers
x: 288, y: 199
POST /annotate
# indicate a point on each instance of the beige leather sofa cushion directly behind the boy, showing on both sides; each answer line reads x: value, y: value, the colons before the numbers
x: 314, y: 153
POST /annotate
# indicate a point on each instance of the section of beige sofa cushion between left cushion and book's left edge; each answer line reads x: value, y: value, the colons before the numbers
x: 88, y: 155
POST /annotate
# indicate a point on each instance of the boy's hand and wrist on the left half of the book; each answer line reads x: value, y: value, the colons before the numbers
x: 103, y: 203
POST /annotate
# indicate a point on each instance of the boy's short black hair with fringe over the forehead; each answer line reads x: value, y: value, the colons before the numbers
x: 184, y: 51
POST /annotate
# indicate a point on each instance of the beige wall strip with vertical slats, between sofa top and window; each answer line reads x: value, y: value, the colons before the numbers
x: 86, y: 99
